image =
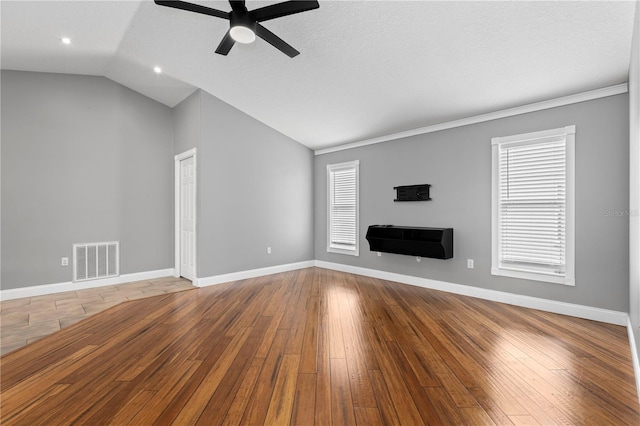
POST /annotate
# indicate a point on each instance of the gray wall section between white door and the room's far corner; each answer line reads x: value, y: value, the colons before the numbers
x: 255, y: 189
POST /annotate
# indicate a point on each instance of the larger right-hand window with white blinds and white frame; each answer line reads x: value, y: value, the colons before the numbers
x: 533, y: 206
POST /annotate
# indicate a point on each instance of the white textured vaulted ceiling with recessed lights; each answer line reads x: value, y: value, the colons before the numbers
x: 366, y: 68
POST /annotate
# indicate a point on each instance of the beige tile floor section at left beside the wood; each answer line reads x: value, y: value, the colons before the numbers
x: 26, y: 320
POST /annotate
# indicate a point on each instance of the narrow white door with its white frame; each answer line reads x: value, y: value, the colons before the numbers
x: 185, y: 214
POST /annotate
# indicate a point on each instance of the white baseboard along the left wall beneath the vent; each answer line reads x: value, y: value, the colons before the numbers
x: 39, y: 290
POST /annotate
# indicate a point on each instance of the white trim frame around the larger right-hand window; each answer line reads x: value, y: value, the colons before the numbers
x: 568, y: 133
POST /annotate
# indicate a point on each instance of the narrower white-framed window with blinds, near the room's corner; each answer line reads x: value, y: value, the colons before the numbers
x: 342, y: 188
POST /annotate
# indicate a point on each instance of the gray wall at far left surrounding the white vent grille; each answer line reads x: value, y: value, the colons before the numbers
x: 83, y: 160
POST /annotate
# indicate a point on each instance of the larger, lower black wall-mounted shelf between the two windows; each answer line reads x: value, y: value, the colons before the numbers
x: 424, y: 242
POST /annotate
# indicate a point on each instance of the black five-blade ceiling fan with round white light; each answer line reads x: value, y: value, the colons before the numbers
x: 245, y: 24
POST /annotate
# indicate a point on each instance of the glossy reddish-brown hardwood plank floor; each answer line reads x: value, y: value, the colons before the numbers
x: 322, y: 347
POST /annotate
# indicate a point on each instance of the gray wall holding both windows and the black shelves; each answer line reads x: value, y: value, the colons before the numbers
x: 457, y: 163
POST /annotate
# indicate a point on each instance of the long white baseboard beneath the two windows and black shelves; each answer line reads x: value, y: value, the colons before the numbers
x: 580, y: 311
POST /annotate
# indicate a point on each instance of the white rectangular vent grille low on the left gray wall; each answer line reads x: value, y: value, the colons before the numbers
x: 95, y: 260
